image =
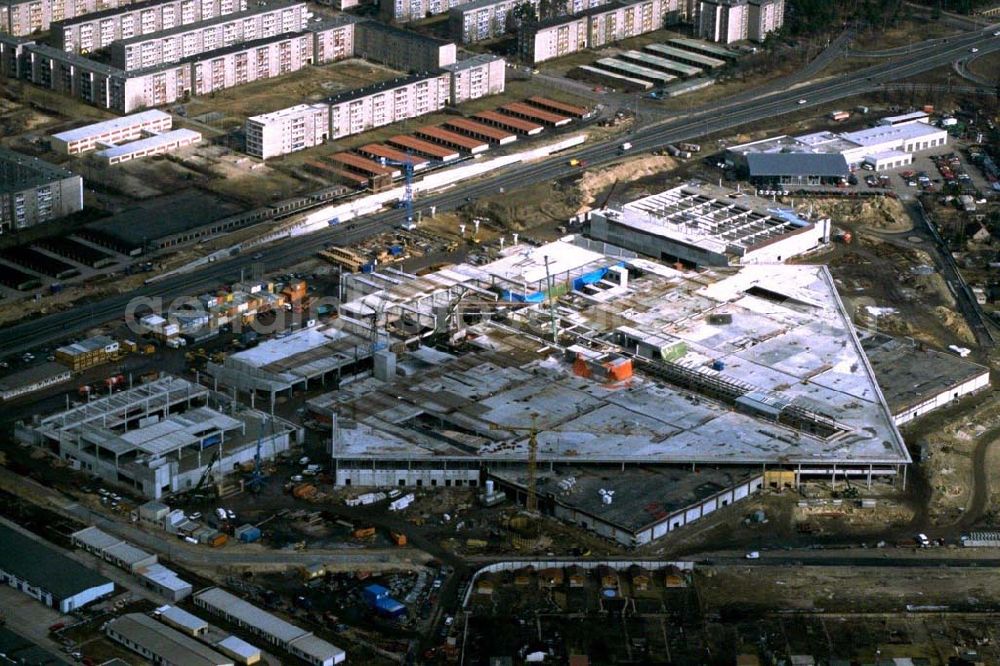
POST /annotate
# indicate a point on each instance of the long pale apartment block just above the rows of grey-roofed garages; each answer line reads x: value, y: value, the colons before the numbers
x: 593, y: 28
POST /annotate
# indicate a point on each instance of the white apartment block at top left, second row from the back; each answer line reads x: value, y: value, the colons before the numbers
x: 97, y: 31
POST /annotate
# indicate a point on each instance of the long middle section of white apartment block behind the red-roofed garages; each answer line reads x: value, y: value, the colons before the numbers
x: 388, y: 102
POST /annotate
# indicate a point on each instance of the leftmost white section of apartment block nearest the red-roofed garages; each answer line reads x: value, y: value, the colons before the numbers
x: 288, y: 130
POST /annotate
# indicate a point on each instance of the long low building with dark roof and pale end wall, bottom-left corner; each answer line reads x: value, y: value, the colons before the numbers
x: 46, y: 574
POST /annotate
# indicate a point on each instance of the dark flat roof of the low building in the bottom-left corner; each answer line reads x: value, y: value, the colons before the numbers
x: 43, y: 566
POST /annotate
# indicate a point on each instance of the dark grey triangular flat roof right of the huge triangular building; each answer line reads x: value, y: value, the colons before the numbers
x: 910, y: 375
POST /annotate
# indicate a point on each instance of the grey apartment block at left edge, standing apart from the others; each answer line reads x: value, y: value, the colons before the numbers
x: 34, y: 192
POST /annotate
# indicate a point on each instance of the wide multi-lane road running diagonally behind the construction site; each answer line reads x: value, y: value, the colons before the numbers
x: 724, y: 116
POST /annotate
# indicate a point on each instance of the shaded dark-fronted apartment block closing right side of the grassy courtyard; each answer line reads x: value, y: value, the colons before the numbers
x: 401, y: 49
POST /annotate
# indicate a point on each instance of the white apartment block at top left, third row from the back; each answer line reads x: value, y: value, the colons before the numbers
x: 260, y: 22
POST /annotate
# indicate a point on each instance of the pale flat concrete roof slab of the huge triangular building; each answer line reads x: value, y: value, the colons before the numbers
x: 780, y: 379
